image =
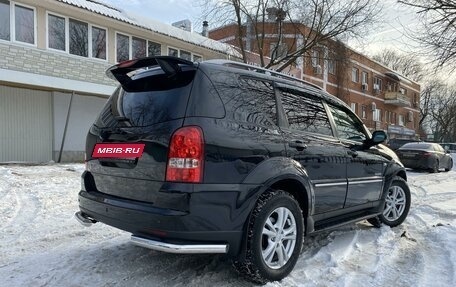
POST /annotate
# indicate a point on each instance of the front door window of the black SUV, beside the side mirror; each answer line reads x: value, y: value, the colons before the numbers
x: 347, y: 125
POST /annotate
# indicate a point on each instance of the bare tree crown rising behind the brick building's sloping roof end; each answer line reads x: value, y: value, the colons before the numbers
x: 408, y: 65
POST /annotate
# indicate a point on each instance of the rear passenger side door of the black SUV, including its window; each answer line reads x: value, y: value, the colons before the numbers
x: 310, y: 142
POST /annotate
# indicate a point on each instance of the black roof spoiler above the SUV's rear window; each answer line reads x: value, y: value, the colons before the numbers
x: 170, y: 65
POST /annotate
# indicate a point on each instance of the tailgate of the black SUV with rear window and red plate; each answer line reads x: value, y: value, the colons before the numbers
x: 145, y: 110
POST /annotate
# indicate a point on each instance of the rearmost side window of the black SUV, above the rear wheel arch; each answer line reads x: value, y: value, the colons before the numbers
x: 246, y: 99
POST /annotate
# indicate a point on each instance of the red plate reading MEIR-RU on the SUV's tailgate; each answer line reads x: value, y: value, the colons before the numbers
x: 118, y: 150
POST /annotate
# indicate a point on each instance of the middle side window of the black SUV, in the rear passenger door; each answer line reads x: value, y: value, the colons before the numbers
x: 305, y: 113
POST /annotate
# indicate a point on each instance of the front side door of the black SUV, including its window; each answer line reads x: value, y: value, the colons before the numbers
x: 365, y: 166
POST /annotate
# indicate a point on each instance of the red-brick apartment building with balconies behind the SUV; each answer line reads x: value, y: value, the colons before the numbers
x: 380, y: 96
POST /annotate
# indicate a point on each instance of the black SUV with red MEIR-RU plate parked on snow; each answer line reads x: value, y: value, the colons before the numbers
x: 223, y: 157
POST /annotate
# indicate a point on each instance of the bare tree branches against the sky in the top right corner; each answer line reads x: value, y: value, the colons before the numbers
x: 438, y: 32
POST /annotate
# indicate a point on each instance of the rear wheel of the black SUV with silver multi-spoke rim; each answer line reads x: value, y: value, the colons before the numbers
x: 262, y: 236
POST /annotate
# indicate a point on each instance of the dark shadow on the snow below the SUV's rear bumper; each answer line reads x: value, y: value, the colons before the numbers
x: 131, y: 265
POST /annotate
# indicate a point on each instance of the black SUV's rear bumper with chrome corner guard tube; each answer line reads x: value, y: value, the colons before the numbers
x: 213, y: 223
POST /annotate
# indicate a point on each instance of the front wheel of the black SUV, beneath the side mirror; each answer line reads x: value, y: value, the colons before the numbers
x: 397, y: 203
